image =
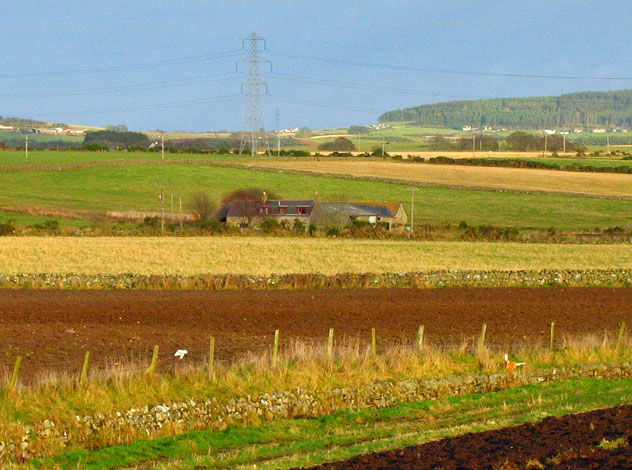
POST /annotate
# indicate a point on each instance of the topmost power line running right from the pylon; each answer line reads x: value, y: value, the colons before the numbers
x: 445, y: 71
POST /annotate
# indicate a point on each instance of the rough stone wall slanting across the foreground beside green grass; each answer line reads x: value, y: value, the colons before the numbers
x: 179, y: 417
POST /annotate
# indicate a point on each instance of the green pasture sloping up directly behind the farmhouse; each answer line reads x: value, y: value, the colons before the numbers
x: 136, y: 187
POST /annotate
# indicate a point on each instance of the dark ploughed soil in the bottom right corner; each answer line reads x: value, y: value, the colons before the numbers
x: 569, y: 442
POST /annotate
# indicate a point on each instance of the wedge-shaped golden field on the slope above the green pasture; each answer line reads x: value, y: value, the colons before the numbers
x: 516, y: 179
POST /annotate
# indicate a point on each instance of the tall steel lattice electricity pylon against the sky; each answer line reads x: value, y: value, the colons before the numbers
x: 254, y: 135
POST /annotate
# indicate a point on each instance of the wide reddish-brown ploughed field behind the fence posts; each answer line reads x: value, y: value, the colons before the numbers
x: 52, y: 329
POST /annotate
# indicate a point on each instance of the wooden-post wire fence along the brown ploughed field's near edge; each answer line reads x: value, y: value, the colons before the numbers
x: 28, y: 371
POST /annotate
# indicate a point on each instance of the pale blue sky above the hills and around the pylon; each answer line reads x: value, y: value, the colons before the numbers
x: 171, y: 64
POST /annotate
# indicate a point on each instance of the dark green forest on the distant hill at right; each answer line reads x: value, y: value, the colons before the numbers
x: 586, y: 109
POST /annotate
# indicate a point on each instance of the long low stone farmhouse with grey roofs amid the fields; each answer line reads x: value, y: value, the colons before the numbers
x: 251, y: 213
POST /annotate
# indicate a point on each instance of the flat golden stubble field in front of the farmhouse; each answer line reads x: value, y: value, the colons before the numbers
x: 264, y: 256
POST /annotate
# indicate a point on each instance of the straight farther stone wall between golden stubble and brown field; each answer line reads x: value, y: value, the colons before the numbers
x: 421, y: 280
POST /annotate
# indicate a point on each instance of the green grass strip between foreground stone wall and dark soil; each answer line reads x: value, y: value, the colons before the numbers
x: 305, y: 442
